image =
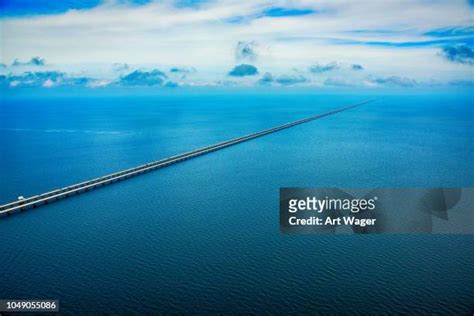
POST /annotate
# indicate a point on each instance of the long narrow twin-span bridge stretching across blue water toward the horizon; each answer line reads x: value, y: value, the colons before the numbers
x: 48, y: 197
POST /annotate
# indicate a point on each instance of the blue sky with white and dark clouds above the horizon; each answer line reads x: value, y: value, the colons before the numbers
x: 175, y: 43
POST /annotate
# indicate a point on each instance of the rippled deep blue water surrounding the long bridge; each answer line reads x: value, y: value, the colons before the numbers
x: 202, y: 236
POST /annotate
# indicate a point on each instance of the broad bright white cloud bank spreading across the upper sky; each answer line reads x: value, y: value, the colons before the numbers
x: 160, y: 35
